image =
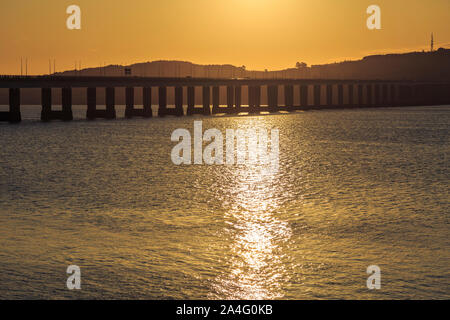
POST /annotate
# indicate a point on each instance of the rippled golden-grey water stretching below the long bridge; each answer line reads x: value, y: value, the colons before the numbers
x: 354, y: 188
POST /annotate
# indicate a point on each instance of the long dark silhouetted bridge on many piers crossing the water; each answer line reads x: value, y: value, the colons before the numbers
x: 358, y: 93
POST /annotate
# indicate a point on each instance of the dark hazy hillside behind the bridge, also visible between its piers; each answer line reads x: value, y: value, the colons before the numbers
x: 408, y: 66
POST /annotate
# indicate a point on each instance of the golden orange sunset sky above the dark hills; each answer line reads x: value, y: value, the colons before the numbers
x: 259, y: 34
